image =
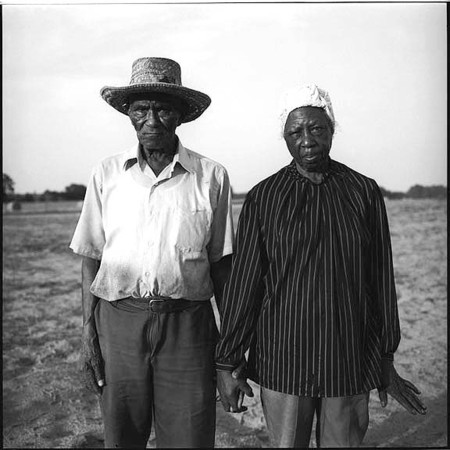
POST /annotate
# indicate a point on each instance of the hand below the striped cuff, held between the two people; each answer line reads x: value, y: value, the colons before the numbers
x: 232, y: 390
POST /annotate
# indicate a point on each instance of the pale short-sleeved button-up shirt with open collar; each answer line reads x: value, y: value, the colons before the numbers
x: 155, y: 235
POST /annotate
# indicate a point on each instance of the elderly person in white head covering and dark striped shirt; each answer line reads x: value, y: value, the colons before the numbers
x: 311, y: 292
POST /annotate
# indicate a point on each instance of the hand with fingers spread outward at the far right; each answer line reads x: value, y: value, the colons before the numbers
x: 400, y: 389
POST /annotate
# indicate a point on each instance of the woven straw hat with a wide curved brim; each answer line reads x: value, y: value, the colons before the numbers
x: 159, y: 75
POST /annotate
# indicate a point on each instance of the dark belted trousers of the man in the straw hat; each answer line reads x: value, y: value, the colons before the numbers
x: 158, y: 367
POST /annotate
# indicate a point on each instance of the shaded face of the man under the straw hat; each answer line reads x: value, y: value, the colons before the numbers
x: 155, y: 118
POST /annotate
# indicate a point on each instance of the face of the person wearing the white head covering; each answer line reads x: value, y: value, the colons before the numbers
x: 308, y: 135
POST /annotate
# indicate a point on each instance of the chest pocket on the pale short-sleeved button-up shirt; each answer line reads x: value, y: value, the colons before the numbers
x: 193, y: 231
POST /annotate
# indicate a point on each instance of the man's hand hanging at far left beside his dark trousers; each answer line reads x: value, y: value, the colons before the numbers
x: 91, y: 361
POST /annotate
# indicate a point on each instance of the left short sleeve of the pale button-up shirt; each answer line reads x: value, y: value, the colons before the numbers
x: 89, y: 236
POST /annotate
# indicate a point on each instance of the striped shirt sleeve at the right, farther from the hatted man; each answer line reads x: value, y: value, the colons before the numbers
x: 382, y: 276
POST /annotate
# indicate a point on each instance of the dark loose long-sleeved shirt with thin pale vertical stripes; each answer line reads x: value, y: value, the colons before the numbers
x: 311, y: 292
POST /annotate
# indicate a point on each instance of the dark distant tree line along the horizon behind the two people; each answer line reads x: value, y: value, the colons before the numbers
x: 77, y: 192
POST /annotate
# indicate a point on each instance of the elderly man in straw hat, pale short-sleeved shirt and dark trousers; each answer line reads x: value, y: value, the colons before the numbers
x: 156, y: 238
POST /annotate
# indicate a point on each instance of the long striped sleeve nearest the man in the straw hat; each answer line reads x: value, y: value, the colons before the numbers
x: 243, y: 292
